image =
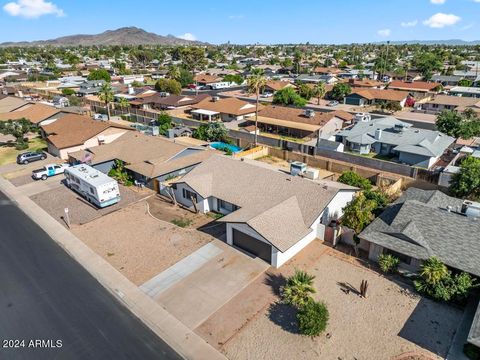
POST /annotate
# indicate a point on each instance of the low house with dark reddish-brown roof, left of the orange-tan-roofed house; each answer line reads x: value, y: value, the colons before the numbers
x: 159, y: 102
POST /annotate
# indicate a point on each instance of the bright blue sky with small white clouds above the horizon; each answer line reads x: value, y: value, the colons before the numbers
x: 247, y: 21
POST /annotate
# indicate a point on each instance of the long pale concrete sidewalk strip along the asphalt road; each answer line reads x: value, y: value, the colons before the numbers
x: 173, y: 332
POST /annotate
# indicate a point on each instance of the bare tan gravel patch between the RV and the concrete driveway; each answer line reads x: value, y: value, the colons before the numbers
x: 138, y: 245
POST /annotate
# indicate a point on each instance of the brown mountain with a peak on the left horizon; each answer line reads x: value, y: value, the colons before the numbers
x: 123, y: 36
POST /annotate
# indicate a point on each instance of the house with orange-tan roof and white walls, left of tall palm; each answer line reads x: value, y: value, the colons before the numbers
x: 229, y: 109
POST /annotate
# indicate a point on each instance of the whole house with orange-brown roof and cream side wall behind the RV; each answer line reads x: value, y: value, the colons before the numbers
x: 72, y: 132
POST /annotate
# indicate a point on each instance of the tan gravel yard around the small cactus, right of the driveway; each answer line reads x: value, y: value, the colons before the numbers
x: 385, y: 324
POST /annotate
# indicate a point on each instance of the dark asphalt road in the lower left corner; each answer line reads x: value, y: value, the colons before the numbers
x: 46, y: 295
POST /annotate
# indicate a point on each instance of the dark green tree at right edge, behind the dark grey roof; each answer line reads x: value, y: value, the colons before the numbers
x: 466, y: 182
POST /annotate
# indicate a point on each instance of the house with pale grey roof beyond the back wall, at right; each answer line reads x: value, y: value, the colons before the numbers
x: 389, y: 136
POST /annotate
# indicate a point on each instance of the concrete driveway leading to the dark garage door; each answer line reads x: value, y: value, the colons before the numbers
x: 197, y: 286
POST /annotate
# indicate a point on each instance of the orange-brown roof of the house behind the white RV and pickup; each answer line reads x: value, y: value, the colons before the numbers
x: 72, y: 130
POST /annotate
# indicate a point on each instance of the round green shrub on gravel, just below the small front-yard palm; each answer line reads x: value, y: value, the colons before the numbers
x: 312, y: 318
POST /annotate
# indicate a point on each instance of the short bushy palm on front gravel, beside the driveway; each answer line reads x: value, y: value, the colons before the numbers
x: 298, y: 289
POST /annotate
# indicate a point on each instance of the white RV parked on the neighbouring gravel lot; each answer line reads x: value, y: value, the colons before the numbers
x: 93, y: 185
